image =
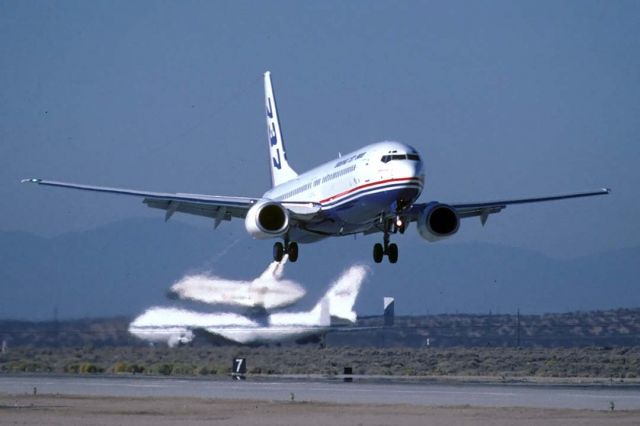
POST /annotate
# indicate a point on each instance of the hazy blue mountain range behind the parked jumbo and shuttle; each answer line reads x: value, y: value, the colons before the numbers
x: 125, y: 267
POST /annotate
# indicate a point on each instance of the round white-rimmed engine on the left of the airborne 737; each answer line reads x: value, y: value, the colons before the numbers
x: 267, y: 219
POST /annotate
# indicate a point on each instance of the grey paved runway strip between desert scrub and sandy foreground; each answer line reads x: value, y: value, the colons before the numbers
x: 358, y: 392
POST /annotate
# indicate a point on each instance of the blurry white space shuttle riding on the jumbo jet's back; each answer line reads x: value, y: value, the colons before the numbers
x: 268, y: 291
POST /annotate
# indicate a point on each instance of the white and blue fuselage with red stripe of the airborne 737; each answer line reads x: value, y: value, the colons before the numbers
x: 355, y: 189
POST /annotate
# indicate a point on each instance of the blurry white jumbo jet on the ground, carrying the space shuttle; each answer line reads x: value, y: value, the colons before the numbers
x: 175, y: 326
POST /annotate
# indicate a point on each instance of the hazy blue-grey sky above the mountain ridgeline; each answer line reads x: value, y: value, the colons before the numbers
x: 503, y: 99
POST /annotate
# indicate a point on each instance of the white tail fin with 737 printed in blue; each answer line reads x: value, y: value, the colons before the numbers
x: 280, y: 170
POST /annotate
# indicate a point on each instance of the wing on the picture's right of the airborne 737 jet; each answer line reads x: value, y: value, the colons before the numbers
x: 484, y: 209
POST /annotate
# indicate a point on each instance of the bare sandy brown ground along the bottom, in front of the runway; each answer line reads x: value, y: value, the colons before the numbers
x: 98, y: 411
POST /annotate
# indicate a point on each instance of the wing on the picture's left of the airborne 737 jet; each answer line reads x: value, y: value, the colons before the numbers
x: 213, y: 206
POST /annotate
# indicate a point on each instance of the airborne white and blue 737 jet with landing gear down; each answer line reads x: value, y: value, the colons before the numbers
x: 371, y: 190
